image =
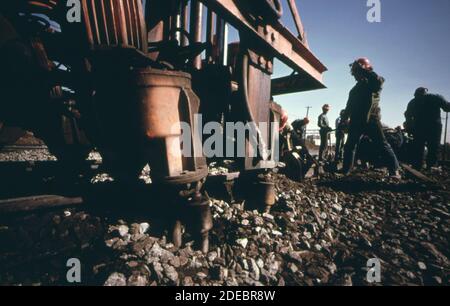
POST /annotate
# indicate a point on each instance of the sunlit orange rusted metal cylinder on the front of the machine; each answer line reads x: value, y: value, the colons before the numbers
x: 165, y: 101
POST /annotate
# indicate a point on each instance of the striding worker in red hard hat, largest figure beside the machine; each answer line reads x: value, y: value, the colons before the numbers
x: 363, y: 110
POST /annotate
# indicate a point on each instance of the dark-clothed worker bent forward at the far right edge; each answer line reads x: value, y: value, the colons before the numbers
x: 423, y: 118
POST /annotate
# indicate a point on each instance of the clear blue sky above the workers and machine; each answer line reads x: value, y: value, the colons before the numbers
x: 410, y: 47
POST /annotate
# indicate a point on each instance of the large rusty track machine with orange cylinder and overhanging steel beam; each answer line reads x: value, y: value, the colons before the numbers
x: 128, y: 74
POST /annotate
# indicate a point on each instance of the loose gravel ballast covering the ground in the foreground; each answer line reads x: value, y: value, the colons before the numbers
x: 321, y: 232
